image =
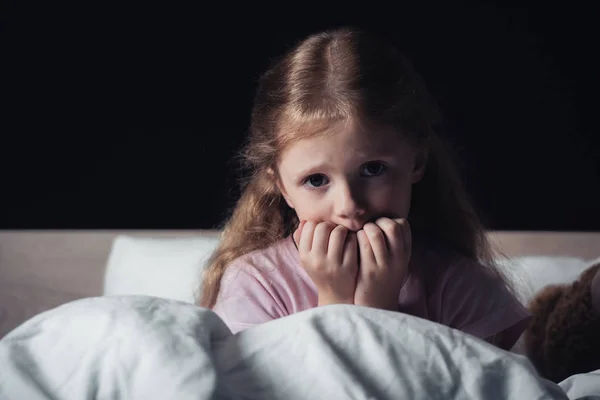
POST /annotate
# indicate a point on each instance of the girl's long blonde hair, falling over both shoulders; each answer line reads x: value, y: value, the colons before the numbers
x: 330, y: 76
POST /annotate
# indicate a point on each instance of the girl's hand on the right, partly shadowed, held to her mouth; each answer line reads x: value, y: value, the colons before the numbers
x: 385, y: 248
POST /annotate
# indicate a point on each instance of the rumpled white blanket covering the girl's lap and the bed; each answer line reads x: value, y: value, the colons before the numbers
x: 149, y: 348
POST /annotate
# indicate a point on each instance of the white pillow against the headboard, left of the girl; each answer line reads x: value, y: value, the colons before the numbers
x: 162, y: 267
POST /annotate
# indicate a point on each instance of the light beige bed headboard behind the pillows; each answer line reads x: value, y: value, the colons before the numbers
x: 40, y: 270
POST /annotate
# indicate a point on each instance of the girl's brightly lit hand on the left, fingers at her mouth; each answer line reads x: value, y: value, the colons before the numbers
x: 329, y: 254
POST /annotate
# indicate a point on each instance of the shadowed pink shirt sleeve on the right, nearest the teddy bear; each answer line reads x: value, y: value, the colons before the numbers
x: 475, y: 302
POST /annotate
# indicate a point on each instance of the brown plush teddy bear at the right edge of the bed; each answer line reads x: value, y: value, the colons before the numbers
x: 563, y: 338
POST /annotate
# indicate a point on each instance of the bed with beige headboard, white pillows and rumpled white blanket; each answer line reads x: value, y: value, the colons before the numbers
x: 52, y: 278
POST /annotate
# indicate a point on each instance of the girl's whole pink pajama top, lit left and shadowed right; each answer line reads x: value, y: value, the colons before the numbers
x: 442, y: 286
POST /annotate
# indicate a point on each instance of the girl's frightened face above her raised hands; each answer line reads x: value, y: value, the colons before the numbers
x: 350, y: 177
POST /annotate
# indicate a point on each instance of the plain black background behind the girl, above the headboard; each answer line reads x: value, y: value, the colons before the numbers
x: 128, y: 119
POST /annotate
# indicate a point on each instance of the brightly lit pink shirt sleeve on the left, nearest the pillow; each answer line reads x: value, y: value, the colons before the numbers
x: 246, y: 298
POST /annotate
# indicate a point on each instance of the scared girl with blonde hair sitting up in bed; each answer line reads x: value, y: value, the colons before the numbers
x: 353, y: 199
